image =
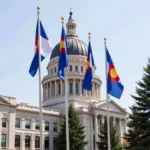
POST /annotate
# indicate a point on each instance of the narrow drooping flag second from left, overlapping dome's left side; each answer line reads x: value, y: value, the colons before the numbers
x: 63, y: 60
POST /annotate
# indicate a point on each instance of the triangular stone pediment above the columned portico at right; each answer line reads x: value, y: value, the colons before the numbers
x: 113, y: 107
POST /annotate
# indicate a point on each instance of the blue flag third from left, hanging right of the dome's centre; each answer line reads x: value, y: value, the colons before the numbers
x: 87, y: 82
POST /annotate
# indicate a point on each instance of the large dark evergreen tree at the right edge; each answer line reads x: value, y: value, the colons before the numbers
x: 138, y: 136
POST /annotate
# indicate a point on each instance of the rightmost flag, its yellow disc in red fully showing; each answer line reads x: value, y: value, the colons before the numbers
x: 114, y: 86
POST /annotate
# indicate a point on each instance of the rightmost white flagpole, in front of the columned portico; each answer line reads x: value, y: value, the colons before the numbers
x: 108, y: 124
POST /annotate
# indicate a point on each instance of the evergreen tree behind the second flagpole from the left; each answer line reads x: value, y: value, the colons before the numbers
x: 76, y: 133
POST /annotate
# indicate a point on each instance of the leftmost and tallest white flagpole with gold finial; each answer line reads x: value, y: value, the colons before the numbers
x: 40, y: 95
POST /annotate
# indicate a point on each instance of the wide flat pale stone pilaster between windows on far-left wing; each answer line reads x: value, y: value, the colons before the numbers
x: 11, y: 129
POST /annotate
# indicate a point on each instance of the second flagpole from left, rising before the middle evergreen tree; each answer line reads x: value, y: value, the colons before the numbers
x: 66, y: 104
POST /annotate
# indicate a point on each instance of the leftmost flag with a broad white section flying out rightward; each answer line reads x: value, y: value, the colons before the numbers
x: 45, y: 48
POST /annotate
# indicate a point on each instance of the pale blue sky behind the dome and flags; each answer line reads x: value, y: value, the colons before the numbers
x: 125, y: 24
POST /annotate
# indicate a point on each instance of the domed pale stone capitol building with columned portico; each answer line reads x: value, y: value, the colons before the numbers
x: 19, y: 122
